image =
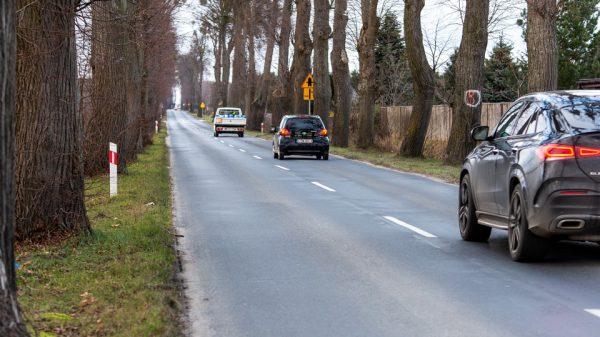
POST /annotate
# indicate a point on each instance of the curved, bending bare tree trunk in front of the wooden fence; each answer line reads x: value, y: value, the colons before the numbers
x: 423, y: 80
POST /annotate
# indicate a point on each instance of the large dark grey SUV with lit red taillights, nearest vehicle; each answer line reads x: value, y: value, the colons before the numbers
x: 537, y: 174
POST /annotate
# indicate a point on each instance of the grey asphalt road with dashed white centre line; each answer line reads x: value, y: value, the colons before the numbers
x: 302, y: 247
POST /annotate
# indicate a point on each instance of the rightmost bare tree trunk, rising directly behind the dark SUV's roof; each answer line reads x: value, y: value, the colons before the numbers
x: 542, y: 47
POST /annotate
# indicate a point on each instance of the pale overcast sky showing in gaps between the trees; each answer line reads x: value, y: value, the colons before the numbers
x: 439, y: 16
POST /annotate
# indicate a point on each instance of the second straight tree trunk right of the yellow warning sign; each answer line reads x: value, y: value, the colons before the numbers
x: 341, y: 76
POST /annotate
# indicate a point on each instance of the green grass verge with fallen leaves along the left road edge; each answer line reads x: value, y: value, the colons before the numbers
x: 120, y: 280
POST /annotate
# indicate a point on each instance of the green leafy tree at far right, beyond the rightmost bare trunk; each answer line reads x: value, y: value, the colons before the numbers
x: 576, y: 29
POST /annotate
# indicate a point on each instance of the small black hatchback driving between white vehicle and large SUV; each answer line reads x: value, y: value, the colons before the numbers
x: 304, y: 135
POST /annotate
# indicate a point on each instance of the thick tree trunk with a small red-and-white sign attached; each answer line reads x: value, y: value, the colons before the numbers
x: 469, y: 76
